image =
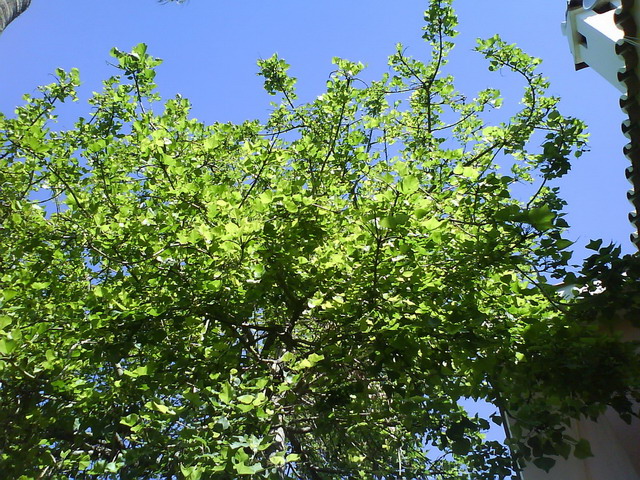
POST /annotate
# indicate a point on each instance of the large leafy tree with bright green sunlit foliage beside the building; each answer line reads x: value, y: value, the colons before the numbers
x: 309, y: 297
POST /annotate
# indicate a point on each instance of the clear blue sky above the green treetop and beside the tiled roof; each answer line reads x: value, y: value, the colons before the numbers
x: 210, y: 48
